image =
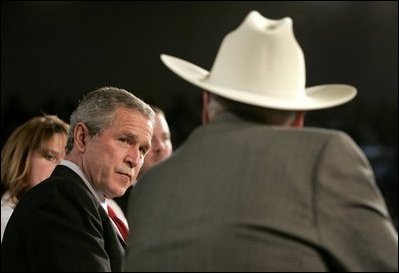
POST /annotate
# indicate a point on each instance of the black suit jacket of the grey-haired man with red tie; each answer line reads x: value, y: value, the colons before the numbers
x: 60, y: 226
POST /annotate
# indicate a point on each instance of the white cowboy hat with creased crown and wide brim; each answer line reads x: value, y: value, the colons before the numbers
x: 261, y: 63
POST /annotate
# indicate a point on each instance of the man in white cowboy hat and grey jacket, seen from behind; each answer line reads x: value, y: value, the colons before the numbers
x: 251, y: 190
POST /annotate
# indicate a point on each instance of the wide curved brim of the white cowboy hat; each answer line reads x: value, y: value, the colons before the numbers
x: 316, y: 97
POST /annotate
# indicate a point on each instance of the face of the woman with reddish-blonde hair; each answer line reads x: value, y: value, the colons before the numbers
x: 43, y: 163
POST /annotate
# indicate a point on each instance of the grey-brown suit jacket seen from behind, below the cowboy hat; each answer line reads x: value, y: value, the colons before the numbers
x: 239, y: 196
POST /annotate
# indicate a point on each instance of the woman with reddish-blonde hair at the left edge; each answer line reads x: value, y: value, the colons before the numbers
x: 28, y: 157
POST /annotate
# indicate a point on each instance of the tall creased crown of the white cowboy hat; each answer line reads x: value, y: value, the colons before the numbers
x: 261, y: 56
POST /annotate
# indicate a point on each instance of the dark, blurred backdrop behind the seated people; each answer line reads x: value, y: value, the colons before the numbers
x: 54, y: 52
